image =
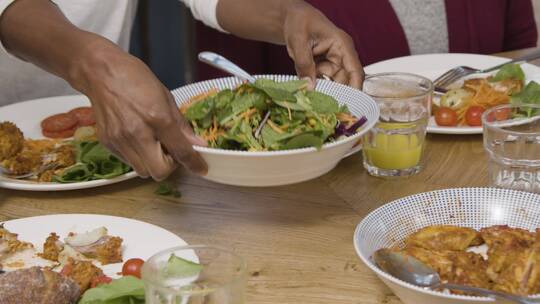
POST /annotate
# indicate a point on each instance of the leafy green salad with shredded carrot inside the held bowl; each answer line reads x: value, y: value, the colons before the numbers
x: 269, y: 116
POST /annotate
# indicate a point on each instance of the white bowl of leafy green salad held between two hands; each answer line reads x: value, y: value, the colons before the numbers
x: 274, y: 131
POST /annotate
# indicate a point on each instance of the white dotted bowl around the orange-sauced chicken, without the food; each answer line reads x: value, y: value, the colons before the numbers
x: 470, y: 207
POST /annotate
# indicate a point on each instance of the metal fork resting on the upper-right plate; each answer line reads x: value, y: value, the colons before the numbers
x: 445, y: 80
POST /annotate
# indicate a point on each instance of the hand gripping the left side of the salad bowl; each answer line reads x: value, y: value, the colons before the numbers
x: 137, y: 118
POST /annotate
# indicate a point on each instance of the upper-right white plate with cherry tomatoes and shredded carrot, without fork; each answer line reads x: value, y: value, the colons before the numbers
x: 459, y: 110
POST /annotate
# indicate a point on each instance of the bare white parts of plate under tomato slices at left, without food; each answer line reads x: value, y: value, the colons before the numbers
x: 27, y: 116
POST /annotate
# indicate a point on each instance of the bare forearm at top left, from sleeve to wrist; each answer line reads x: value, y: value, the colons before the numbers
x: 38, y: 32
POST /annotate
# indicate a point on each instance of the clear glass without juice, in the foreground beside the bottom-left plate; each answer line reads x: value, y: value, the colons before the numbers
x: 220, y: 278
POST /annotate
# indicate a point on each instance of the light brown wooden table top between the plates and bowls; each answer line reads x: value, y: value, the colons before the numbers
x: 296, y: 239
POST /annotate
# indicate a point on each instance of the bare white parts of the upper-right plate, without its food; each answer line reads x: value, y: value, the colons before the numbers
x: 434, y: 65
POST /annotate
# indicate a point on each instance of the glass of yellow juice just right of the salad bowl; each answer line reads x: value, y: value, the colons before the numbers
x: 395, y: 146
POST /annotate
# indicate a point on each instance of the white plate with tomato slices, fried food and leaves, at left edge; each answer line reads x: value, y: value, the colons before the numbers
x: 53, y: 142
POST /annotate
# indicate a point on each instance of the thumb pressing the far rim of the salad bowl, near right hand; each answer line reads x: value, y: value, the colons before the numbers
x: 300, y: 51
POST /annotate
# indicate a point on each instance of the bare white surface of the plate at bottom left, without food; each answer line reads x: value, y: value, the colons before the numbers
x: 141, y: 240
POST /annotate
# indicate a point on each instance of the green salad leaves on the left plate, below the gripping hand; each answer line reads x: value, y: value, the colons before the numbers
x: 94, y: 162
